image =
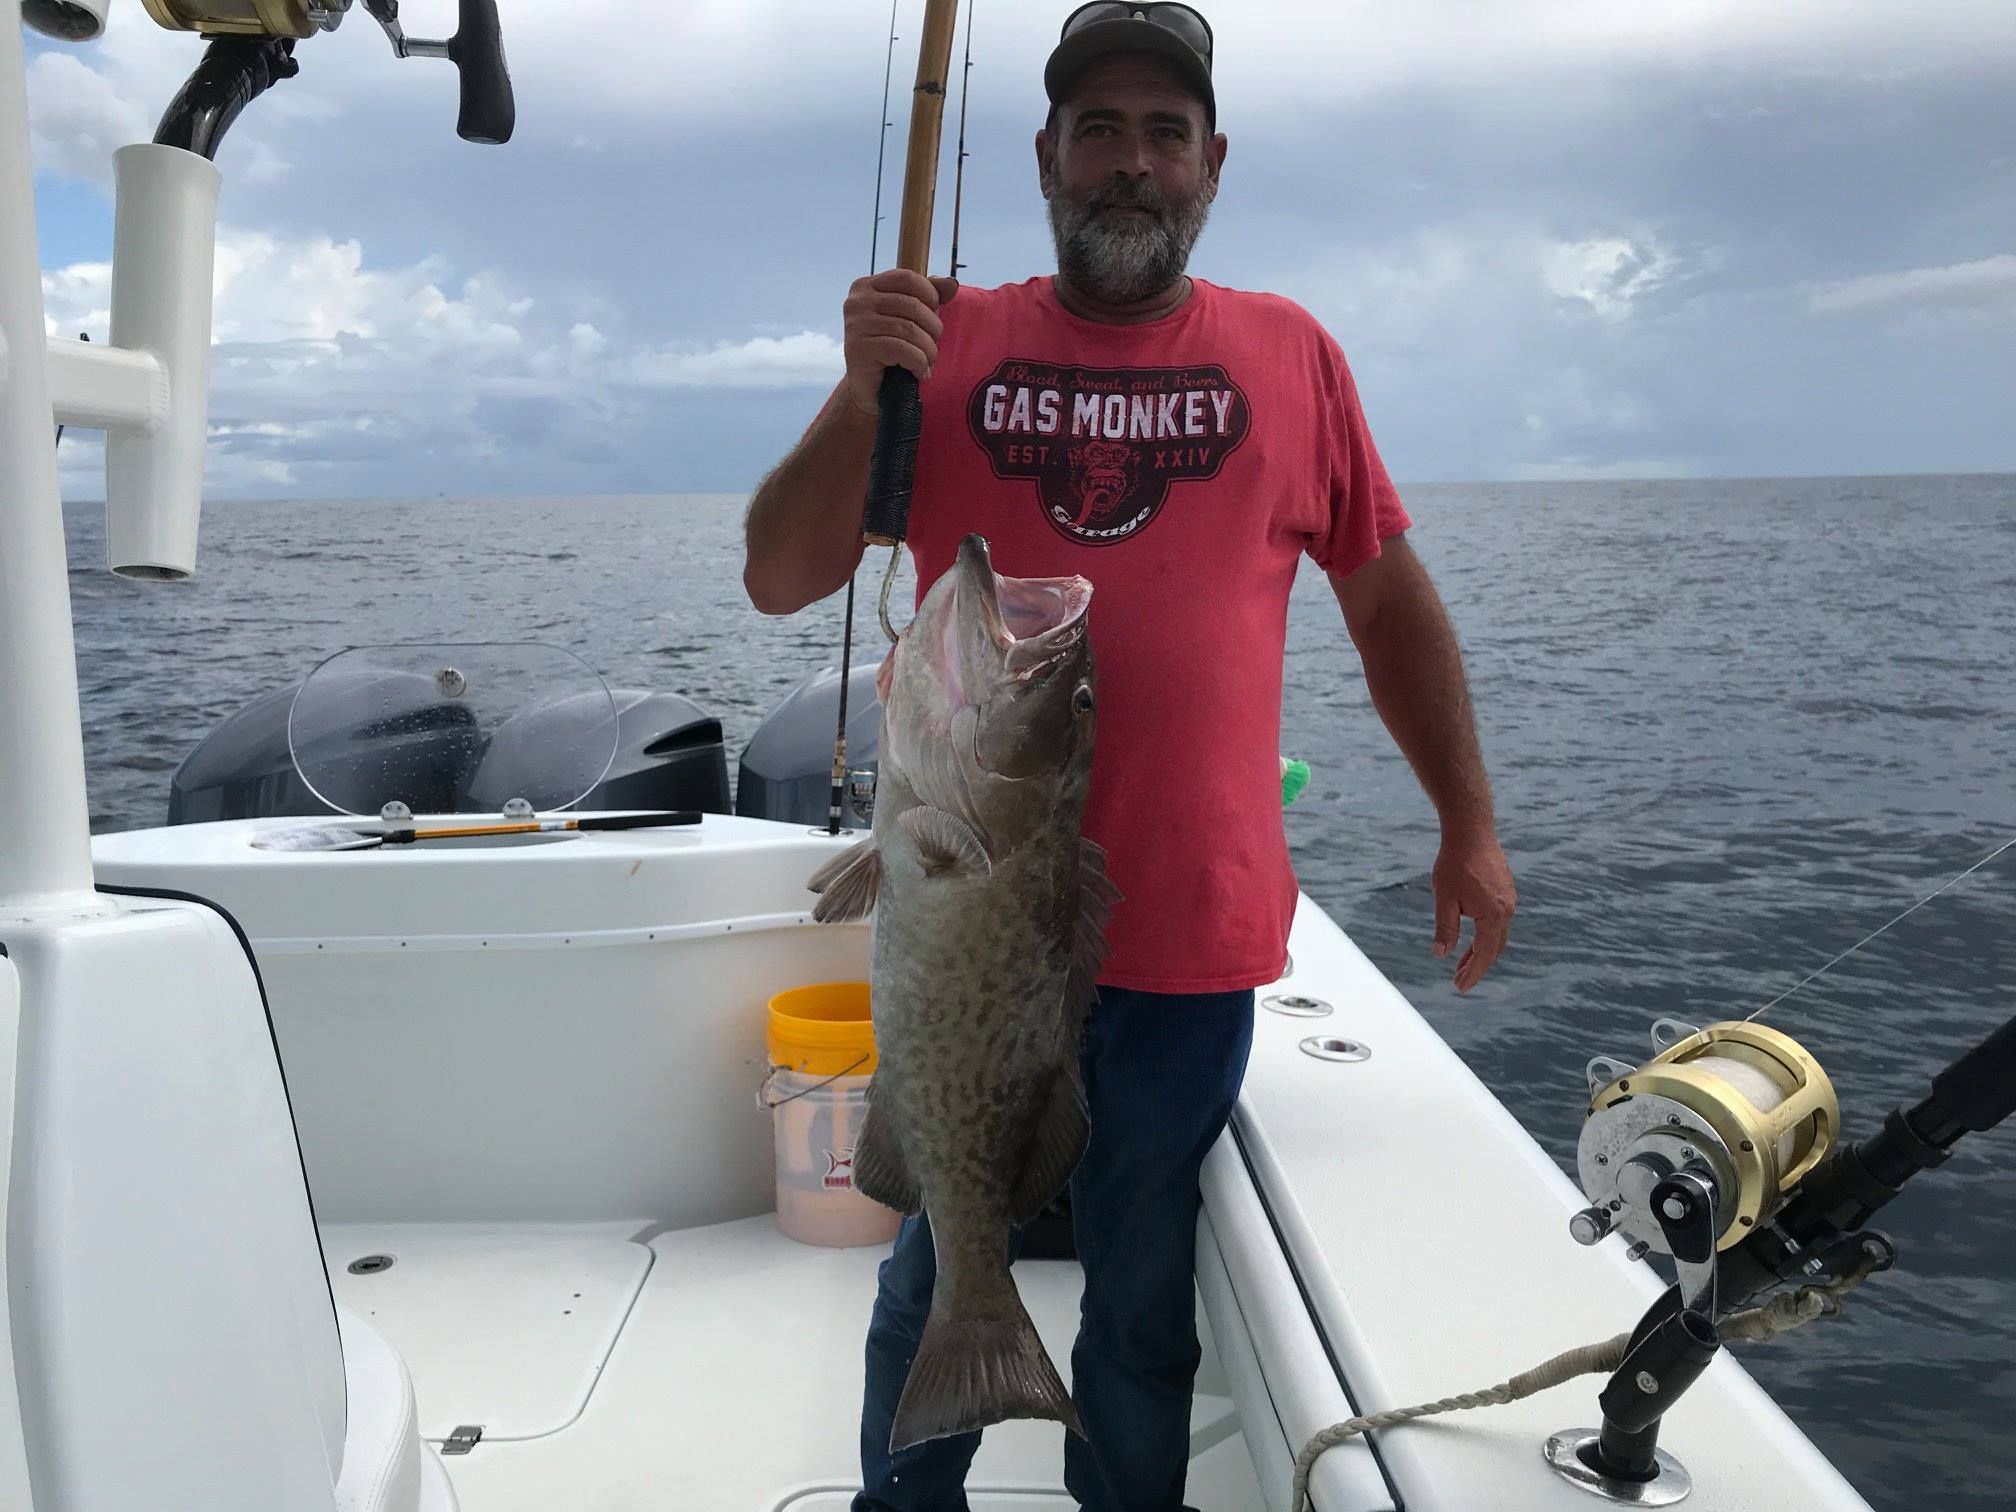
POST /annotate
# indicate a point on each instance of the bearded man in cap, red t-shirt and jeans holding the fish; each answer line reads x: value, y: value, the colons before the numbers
x: 1182, y: 447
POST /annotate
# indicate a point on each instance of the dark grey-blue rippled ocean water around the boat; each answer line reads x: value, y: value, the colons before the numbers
x: 1733, y: 729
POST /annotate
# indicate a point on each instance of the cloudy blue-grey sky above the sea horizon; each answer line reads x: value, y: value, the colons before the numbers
x: 1557, y: 239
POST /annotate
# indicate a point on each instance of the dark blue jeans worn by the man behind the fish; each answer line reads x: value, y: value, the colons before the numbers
x: 1160, y: 1078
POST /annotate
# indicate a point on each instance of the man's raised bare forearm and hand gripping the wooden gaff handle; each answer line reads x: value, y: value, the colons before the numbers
x: 803, y: 529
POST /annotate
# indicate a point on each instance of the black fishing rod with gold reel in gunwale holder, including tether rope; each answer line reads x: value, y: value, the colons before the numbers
x: 1723, y: 1154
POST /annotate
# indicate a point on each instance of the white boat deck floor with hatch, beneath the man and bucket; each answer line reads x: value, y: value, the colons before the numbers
x: 628, y: 1370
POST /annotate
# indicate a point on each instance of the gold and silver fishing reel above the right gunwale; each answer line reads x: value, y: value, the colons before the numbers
x: 1739, y: 1106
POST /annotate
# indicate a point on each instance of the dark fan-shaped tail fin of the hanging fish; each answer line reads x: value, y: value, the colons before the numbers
x: 973, y: 1374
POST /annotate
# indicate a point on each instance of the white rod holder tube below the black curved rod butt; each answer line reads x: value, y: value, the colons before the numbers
x: 164, y: 253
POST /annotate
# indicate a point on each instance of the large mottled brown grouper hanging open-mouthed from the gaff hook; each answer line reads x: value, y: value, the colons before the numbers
x: 989, y: 936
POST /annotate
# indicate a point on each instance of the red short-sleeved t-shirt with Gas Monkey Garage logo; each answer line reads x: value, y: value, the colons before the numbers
x: 1184, y: 469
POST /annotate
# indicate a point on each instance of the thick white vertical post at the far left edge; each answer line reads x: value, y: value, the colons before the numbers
x: 45, y: 830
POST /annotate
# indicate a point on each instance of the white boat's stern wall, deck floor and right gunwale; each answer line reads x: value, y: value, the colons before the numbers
x: 527, y: 1074
